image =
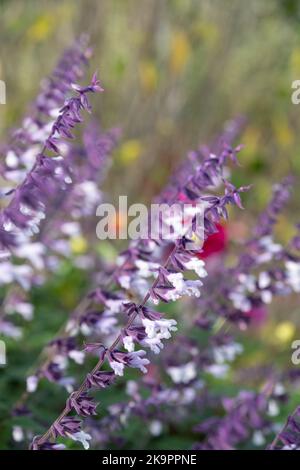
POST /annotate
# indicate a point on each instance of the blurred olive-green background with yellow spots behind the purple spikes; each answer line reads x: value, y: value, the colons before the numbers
x: 174, y: 71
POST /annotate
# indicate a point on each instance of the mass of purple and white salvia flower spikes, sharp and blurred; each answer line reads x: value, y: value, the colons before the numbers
x: 123, y: 322
